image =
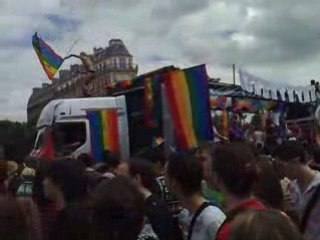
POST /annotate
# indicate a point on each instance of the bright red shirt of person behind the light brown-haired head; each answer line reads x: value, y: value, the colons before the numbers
x: 225, y: 229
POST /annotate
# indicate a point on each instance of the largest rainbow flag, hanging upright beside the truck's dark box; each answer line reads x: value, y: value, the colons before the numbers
x: 187, y: 93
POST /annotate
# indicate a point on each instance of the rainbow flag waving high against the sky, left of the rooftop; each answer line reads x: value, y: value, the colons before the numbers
x: 49, y: 60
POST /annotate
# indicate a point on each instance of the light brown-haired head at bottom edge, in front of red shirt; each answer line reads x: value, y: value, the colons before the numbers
x: 264, y: 225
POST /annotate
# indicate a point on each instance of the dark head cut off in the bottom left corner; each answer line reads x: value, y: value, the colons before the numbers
x: 13, y: 222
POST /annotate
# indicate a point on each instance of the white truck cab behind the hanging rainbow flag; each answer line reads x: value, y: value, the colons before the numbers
x: 70, y: 132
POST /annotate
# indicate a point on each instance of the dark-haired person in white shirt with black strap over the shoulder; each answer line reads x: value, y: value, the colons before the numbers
x: 200, y: 220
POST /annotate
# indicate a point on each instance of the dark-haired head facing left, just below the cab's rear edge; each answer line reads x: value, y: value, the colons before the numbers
x: 142, y: 173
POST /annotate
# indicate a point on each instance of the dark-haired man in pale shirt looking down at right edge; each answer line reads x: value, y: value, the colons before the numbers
x: 305, y: 187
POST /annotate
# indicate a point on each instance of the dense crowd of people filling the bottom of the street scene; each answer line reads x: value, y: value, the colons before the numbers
x: 222, y: 191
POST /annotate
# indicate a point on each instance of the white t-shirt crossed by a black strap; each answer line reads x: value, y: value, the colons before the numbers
x: 207, y: 223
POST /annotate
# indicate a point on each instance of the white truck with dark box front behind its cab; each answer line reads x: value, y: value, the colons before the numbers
x: 69, y: 128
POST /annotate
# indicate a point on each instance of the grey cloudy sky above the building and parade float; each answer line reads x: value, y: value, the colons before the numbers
x: 276, y: 40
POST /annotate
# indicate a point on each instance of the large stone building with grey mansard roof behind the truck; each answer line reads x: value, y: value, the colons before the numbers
x: 112, y: 64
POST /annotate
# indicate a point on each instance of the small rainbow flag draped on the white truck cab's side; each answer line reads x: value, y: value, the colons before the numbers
x: 104, y: 131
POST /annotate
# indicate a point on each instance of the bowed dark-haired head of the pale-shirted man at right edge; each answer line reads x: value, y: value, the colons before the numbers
x: 292, y: 157
